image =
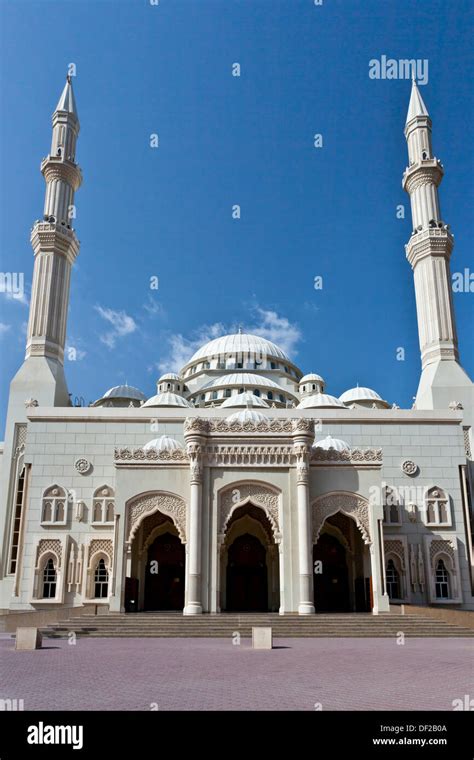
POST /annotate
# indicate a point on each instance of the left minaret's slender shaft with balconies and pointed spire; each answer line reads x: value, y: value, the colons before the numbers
x: 54, y: 240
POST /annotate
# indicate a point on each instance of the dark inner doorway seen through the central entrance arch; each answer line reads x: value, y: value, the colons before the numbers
x: 247, y: 579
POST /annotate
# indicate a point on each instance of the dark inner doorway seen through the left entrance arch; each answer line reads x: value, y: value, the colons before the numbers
x: 164, y: 581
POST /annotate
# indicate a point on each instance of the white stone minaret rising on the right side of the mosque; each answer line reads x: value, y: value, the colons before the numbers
x: 429, y: 251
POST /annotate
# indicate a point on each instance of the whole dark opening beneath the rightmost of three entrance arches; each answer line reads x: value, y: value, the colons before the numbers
x: 341, y: 563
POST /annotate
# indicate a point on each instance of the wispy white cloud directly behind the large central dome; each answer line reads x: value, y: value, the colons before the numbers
x: 268, y: 324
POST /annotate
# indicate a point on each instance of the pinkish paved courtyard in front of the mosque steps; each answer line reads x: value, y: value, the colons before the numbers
x: 214, y: 674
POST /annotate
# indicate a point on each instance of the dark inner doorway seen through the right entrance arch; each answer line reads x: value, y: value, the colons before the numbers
x: 331, y: 586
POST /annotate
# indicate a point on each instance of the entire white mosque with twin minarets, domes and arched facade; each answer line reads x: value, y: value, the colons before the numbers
x: 243, y: 484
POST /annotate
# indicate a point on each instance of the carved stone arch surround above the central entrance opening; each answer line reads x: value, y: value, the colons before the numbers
x: 259, y: 494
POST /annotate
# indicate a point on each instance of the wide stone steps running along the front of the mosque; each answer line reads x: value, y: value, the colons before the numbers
x: 225, y: 625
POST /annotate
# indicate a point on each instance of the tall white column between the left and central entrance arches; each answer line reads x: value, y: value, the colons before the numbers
x: 194, y: 603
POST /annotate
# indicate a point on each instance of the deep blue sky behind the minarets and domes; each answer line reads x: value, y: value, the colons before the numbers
x: 226, y: 140
